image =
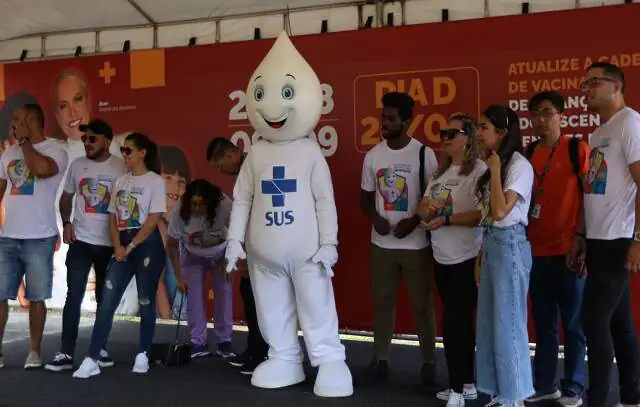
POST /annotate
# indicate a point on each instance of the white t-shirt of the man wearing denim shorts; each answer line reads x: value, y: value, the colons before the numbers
x: 30, y: 202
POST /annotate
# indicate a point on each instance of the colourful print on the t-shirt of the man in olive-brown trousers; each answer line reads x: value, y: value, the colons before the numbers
x: 393, y: 187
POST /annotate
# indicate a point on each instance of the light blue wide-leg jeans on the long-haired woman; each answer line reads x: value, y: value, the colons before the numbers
x: 502, y: 358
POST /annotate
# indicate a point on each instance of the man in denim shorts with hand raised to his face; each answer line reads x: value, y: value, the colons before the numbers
x: 30, y: 173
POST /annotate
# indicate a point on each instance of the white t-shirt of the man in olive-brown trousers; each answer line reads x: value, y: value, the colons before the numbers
x: 394, y: 176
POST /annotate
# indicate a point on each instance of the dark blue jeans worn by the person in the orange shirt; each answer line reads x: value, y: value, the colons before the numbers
x: 554, y: 286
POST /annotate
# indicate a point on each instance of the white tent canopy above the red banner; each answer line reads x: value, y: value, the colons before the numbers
x: 55, y: 28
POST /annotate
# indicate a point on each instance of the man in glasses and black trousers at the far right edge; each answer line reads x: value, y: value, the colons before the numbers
x: 612, y: 217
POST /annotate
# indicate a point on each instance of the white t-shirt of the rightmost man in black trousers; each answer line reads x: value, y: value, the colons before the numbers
x: 610, y: 191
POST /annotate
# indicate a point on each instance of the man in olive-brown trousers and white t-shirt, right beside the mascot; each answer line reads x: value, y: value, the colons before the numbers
x: 390, y: 193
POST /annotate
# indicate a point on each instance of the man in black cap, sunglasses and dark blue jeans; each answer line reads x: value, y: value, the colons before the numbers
x: 89, y: 180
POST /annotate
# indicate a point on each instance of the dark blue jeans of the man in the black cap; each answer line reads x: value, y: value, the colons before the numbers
x: 80, y: 257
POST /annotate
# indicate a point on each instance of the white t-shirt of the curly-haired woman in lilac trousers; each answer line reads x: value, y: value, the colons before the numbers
x: 199, y: 236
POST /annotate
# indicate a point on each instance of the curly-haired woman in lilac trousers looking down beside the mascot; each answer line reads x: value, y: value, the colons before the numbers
x: 198, y: 226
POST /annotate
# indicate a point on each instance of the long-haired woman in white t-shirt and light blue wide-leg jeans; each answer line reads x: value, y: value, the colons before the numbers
x: 502, y: 359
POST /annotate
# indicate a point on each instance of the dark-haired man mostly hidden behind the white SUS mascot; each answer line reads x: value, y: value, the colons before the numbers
x: 228, y: 159
